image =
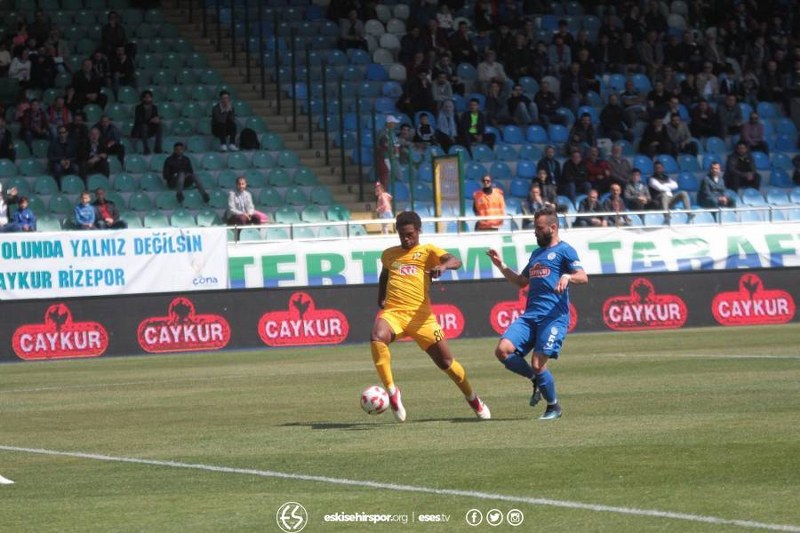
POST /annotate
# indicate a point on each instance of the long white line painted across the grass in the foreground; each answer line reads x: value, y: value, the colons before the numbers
x: 418, y: 489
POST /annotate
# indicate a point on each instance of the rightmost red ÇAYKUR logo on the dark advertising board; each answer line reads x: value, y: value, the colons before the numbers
x: 753, y: 304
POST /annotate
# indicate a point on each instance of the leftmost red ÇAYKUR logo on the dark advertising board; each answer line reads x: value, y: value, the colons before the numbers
x: 59, y: 337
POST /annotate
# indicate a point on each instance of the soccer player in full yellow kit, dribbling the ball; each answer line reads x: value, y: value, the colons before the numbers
x: 406, y: 310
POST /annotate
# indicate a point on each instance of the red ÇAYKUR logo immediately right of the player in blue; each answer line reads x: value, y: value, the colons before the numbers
x: 644, y: 309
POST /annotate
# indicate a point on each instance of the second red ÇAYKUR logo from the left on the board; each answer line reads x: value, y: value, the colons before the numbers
x: 183, y: 330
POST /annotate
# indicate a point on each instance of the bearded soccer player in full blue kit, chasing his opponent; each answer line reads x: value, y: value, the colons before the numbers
x: 543, y: 325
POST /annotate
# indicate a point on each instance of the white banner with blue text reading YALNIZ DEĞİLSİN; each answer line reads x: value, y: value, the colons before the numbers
x: 95, y: 263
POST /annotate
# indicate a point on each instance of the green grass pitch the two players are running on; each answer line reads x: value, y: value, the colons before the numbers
x: 702, y: 422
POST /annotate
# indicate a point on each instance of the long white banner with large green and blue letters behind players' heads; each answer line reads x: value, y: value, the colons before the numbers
x: 602, y: 251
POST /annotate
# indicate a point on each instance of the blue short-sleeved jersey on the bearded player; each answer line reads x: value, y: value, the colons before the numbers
x: 543, y: 270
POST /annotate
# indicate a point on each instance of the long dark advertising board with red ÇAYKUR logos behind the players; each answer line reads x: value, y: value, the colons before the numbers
x: 319, y: 316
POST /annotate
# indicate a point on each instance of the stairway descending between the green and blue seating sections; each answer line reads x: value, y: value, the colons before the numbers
x: 346, y: 193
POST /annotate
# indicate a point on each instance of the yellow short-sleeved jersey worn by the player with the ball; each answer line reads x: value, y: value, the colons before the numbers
x: 409, y: 278
